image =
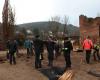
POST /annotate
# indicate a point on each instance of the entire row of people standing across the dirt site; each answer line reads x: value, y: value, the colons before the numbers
x: 51, y: 45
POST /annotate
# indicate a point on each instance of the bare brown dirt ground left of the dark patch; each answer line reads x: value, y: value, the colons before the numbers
x: 23, y: 70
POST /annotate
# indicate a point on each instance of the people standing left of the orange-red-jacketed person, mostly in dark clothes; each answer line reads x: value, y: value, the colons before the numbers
x: 38, y: 45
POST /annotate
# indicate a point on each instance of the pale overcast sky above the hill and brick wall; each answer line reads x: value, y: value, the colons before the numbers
x: 42, y: 10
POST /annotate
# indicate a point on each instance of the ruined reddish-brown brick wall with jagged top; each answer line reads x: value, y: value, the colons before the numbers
x: 89, y: 27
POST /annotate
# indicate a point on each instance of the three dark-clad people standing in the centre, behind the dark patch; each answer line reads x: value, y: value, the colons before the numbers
x: 51, y: 45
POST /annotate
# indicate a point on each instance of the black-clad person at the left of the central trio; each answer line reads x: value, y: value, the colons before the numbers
x: 38, y: 47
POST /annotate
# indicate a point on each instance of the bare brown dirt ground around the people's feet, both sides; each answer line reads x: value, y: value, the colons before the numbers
x: 24, y: 69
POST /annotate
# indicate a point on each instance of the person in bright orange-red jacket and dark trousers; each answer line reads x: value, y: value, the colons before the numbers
x: 87, y: 47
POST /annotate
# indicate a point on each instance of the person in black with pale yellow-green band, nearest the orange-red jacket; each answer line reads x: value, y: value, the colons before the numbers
x: 67, y: 50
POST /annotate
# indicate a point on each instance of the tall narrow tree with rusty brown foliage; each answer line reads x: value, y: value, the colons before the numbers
x: 8, y: 21
